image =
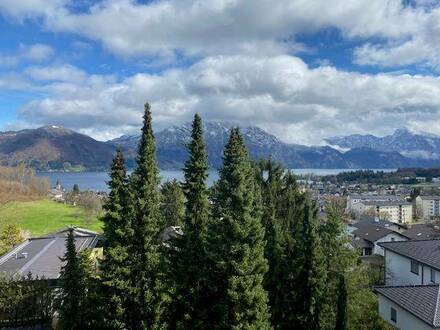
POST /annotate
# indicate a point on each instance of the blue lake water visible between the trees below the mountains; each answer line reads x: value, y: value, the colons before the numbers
x: 97, y: 181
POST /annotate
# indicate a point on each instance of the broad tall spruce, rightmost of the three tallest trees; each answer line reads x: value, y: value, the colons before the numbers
x: 236, y: 245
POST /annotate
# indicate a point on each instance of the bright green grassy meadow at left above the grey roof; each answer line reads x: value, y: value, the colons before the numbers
x: 45, y: 216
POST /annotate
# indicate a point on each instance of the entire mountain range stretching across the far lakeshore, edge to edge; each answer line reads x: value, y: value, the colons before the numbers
x: 57, y: 148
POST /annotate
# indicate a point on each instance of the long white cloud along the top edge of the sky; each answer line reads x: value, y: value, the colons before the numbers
x: 213, y: 27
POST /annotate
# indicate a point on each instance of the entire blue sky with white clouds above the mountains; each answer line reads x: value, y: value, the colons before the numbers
x: 302, y: 70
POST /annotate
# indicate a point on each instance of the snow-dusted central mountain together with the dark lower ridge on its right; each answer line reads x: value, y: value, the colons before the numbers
x: 172, y: 153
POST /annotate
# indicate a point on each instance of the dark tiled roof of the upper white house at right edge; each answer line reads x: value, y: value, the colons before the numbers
x: 424, y: 251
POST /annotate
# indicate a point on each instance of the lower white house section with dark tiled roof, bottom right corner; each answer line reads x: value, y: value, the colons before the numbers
x: 410, y: 307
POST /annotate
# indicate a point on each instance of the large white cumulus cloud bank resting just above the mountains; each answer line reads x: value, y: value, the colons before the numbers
x: 278, y: 93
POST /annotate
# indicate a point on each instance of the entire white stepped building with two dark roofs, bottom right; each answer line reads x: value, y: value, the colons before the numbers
x: 411, y: 299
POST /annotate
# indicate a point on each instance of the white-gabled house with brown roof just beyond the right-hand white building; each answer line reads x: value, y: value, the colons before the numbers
x: 368, y: 236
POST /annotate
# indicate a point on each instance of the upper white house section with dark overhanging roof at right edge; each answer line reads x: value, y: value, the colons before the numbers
x: 412, y: 262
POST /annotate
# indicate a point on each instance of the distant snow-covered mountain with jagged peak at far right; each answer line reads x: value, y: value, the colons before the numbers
x: 403, y: 141
